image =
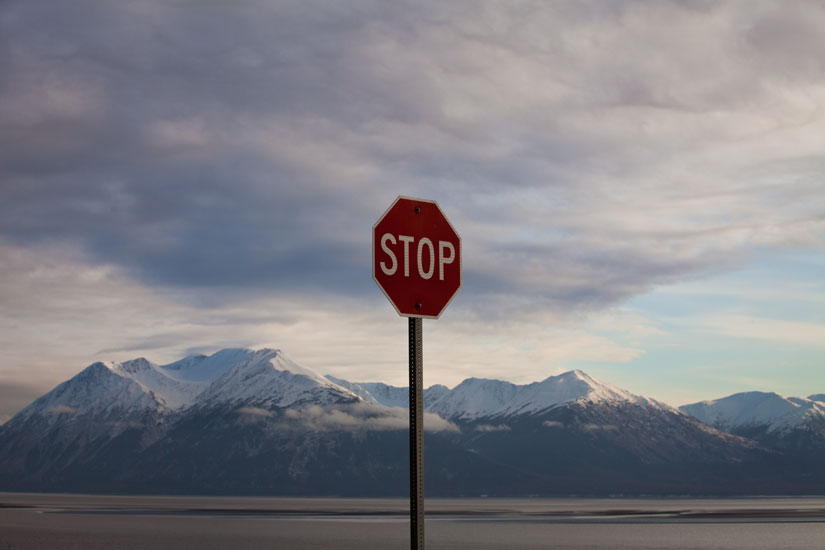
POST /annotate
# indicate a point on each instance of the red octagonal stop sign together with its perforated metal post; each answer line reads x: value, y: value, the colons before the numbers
x: 416, y: 261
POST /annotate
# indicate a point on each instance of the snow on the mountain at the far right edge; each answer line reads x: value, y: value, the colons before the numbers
x: 755, y: 408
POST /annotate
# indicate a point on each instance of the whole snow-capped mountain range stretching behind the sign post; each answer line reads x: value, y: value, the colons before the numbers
x: 255, y: 422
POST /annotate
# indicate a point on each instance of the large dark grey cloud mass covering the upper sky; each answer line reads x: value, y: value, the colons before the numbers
x: 586, y: 153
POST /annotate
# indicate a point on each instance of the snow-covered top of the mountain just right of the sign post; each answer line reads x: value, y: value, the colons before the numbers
x: 476, y: 398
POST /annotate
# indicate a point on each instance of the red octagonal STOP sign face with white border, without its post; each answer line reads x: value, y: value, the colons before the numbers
x: 416, y: 257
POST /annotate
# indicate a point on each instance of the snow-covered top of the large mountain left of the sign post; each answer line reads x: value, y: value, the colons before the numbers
x: 262, y: 377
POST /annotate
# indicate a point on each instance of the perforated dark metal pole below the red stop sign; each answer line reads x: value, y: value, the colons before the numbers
x: 416, y: 435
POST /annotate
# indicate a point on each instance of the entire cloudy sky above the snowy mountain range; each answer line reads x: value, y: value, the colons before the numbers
x: 639, y: 187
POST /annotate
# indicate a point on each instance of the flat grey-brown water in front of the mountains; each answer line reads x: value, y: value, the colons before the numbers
x: 70, y: 522
